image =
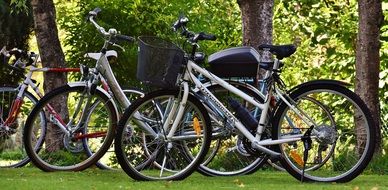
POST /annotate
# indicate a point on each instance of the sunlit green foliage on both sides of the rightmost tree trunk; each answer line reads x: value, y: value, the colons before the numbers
x: 326, y: 34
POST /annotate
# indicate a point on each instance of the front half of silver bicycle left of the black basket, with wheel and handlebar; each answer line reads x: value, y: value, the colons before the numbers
x: 81, y: 135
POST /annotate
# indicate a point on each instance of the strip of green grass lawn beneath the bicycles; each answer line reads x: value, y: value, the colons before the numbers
x: 33, y: 178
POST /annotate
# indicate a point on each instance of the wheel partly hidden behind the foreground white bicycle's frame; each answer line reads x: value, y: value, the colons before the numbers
x: 230, y: 153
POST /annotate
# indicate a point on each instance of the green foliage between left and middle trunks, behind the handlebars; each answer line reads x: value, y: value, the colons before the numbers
x: 136, y: 18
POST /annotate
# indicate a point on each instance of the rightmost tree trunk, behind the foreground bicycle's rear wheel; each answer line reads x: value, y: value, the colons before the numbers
x: 368, y: 59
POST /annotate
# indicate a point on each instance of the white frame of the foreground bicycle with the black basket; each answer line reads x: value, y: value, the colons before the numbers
x: 255, y: 139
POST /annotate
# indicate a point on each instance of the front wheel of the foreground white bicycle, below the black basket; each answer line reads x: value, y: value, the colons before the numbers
x: 148, y: 154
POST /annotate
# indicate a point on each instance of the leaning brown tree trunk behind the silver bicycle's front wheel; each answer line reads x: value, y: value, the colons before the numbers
x: 51, y: 55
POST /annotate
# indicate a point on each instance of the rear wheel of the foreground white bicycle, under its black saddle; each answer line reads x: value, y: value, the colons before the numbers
x: 340, y: 150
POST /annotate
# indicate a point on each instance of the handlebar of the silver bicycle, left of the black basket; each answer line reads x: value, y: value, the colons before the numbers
x: 112, y: 33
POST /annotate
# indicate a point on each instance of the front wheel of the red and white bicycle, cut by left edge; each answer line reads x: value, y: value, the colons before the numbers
x: 12, y: 153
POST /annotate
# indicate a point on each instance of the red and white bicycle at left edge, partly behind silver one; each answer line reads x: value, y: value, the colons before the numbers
x: 16, y: 102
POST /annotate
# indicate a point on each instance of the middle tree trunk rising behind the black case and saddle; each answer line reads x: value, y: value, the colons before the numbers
x: 256, y: 18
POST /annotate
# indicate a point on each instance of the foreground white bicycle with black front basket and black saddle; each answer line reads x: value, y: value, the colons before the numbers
x: 340, y: 152
